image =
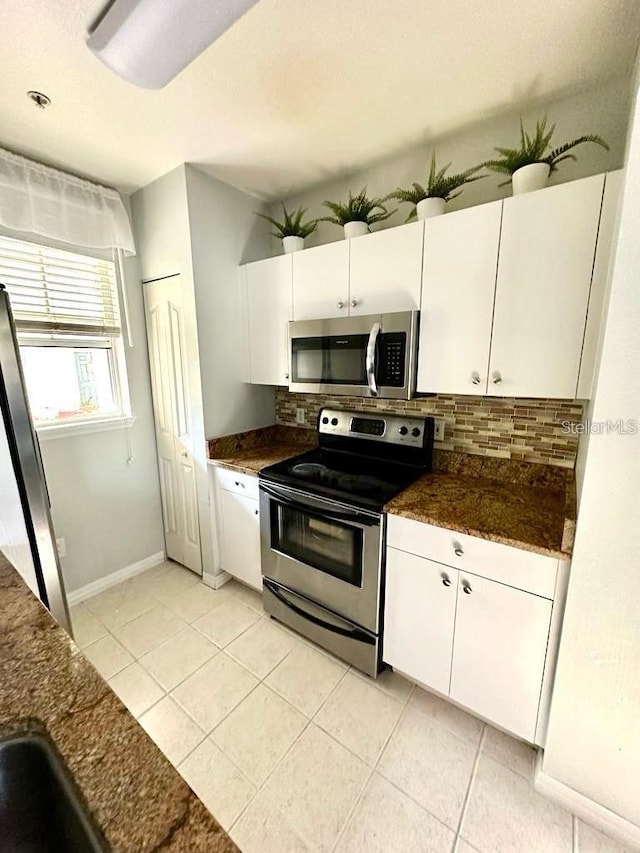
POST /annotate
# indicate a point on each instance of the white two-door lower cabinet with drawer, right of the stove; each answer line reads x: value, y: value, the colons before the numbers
x: 481, y: 641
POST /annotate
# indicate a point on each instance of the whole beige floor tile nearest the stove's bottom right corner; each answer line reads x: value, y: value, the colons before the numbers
x: 360, y: 716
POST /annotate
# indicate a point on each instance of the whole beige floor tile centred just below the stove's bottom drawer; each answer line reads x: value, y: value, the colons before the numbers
x: 305, y: 678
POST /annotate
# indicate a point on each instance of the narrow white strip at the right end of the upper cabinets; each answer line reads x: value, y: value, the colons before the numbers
x: 610, y: 204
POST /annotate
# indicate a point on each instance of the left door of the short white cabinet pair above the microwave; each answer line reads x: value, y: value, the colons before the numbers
x: 321, y: 282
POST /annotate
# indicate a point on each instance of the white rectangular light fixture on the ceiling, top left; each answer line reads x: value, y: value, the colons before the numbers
x: 148, y: 42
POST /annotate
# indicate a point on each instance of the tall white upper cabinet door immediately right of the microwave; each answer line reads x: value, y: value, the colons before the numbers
x: 458, y: 287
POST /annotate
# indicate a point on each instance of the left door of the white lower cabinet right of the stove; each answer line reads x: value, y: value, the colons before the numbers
x: 419, y: 615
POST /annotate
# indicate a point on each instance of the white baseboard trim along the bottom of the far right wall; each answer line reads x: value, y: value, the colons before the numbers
x: 602, y: 818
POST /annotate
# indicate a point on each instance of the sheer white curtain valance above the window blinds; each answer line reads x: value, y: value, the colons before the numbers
x: 45, y: 201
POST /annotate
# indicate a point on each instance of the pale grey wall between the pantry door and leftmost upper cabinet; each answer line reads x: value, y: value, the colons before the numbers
x: 224, y: 233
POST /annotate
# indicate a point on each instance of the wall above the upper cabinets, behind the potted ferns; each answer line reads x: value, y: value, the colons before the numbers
x: 603, y: 109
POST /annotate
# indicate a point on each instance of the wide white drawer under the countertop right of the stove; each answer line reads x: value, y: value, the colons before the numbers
x: 521, y: 569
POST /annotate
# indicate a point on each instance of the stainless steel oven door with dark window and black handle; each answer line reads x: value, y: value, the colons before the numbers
x: 324, y: 550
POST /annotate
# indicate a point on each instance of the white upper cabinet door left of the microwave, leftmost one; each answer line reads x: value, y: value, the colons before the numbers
x: 269, y: 308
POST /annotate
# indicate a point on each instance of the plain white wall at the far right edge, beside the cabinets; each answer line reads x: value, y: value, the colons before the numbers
x: 594, y: 733
